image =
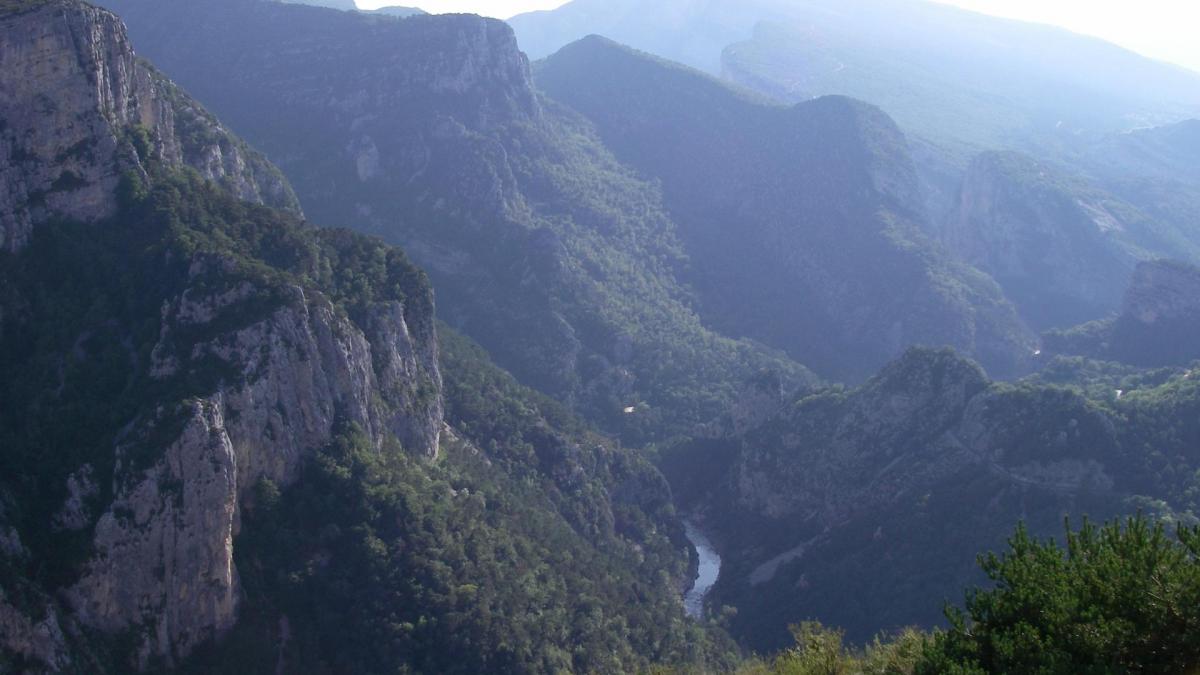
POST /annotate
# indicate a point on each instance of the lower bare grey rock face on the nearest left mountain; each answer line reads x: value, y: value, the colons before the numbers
x: 165, y: 547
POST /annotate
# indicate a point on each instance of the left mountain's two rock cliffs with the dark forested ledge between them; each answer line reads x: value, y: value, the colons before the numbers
x: 253, y: 368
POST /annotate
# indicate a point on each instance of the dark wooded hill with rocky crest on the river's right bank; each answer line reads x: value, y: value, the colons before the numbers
x: 860, y: 507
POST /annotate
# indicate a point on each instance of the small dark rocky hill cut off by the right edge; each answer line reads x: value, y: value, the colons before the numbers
x: 1156, y: 327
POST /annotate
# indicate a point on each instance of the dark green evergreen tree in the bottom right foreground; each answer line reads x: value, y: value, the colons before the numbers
x: 1120, y: 599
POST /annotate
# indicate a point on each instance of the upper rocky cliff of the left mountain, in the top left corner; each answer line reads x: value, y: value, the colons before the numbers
x: 80, y: 107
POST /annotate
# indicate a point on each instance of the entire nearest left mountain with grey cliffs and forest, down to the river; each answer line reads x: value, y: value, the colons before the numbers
x: 231, y: 441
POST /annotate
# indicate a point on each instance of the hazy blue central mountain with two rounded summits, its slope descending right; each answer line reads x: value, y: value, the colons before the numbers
x: 801, y: 224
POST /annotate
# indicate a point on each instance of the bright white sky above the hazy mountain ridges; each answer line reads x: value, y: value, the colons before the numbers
x: 1163, y: 29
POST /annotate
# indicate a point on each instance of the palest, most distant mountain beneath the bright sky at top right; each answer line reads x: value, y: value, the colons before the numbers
x: 943, y: 73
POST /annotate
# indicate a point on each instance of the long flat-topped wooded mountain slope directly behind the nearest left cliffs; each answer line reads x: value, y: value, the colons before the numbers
x: 428, y: 132
